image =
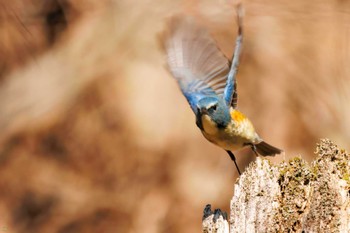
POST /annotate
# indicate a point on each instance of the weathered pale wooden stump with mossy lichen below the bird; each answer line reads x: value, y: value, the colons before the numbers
x: 294, y: 196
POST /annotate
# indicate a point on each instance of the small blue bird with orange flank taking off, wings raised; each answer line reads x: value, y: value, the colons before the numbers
x: 208, y: 81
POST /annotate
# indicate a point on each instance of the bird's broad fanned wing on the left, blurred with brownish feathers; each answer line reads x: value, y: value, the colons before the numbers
x: 195, y: 61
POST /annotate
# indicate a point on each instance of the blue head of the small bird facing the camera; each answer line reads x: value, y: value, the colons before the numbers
x: 216, y: 109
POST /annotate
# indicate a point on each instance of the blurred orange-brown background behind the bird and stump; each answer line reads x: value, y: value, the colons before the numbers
x: 95, y: 135
